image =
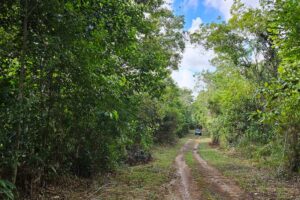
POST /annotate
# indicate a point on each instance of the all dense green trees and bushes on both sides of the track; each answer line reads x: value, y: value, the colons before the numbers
x: 85, y: 86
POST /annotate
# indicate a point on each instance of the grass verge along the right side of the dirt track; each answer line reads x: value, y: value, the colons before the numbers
x: 258, y: 182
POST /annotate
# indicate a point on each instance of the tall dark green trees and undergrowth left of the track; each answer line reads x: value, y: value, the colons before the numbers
x: 85, y: 86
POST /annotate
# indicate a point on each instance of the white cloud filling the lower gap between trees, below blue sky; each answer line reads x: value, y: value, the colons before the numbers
x: 195, y: 59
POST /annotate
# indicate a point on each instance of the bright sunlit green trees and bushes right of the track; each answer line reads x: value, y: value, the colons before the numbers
x: 252, y: 99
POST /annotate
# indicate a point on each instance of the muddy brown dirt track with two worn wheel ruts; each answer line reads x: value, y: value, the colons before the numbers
x: 185, y: 186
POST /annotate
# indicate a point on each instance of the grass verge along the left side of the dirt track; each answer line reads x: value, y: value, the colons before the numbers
x: 144, y: 181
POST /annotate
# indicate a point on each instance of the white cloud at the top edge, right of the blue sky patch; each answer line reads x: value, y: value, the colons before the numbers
x: 224, y: 6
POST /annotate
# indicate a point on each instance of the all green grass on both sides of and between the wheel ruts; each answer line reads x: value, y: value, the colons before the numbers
x: 147, y: 181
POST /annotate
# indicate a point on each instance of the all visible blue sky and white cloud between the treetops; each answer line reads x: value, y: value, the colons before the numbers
x: 195, y: 58
